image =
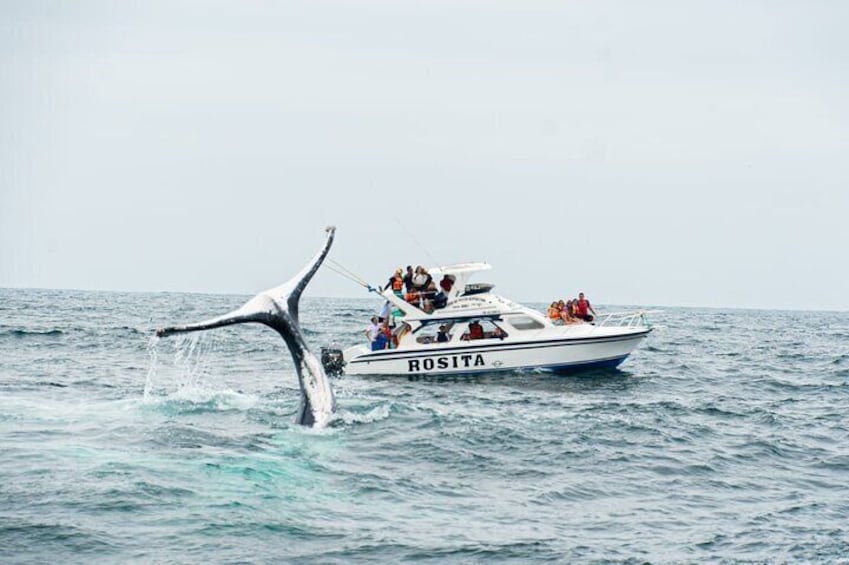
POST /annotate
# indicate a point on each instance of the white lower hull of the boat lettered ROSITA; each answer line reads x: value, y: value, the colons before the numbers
x: 564, y: 355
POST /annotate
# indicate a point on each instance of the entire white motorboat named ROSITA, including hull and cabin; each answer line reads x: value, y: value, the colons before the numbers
x: 478, y: 331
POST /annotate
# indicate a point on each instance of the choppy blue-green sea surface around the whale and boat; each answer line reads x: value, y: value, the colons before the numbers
x: 724, y: 438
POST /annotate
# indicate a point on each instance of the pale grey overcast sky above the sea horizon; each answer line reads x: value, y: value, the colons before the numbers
x: 657, y: 152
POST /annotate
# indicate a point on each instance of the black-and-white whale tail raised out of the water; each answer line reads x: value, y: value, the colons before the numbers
x: 278, y: 309
